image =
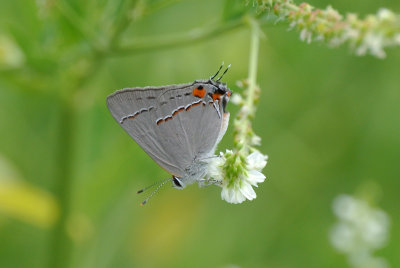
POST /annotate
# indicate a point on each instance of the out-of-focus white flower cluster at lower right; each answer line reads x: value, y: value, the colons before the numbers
x: 360, y: 230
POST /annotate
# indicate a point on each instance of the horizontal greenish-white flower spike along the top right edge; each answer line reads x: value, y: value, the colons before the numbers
x: 364, y: 36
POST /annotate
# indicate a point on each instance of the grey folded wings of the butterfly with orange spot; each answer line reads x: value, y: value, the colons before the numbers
x: 174, y: 125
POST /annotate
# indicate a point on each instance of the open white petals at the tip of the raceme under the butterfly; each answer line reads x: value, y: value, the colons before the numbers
x: 241, y: 188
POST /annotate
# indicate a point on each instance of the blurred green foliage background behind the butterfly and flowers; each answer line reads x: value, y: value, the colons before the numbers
x: 328, y: 120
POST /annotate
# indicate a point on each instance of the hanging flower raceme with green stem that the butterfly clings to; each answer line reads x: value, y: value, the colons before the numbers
x: 238, y: 170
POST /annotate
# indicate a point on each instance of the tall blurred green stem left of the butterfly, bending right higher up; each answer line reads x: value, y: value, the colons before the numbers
x: 61, y: 243
